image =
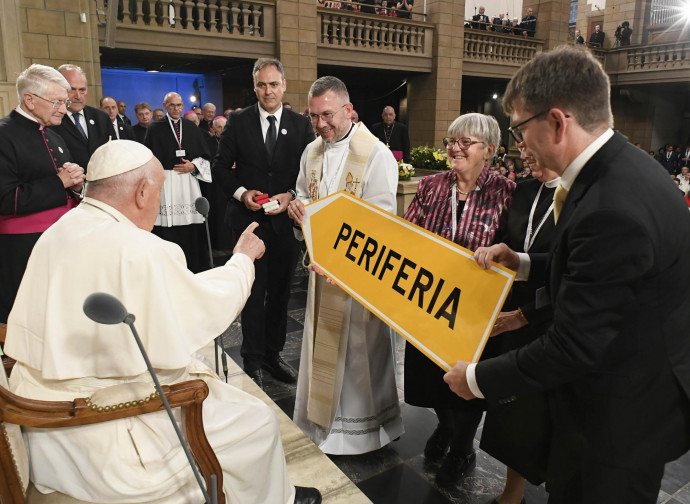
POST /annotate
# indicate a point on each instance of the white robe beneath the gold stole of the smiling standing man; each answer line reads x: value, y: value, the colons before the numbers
x: 367, y: 415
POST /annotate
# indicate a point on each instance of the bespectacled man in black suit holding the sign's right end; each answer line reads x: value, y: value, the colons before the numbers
x: 616, y: 361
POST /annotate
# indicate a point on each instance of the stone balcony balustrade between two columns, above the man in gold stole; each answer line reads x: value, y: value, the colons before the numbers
x: 368, y: 40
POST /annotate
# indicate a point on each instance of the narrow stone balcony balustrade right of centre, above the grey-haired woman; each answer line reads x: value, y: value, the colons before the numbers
x: 493, y: 54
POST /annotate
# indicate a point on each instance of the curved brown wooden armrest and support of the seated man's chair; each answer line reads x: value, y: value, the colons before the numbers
x: 188, y: 395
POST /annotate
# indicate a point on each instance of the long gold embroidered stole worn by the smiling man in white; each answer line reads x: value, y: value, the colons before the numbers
x: 330, y: 300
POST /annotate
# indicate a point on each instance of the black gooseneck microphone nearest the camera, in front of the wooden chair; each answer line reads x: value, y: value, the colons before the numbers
x: 106, y: 309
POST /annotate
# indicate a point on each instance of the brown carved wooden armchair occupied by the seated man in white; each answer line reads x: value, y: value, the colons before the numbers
x: 52, y: 414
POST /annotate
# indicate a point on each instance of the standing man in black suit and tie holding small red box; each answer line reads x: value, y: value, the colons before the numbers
x: 265, y: 143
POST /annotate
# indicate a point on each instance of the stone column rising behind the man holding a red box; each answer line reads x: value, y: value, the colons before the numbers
x: 296, y: 33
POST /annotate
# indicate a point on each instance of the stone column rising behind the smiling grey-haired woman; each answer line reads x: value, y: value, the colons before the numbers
x: 433, y: 100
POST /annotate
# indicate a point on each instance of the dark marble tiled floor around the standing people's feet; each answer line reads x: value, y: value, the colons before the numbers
x: 397, y: 473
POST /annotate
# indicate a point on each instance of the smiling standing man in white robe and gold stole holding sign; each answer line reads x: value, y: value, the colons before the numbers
x: 347, y: 401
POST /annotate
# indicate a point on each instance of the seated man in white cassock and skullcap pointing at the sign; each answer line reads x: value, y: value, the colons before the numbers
x: 105, y: 245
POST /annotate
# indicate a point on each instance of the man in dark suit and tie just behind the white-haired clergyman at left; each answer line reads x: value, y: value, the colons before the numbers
x: 84, y: 128
